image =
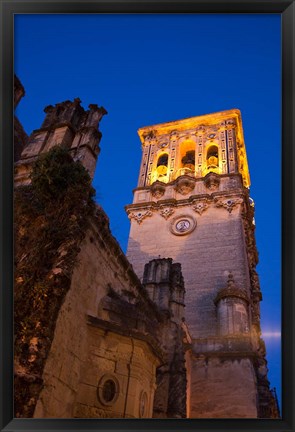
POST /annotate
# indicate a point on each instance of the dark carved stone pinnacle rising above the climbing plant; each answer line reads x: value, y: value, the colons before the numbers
x: 67, y: 124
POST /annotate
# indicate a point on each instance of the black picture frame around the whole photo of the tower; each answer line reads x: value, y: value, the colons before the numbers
x: 287, y: 11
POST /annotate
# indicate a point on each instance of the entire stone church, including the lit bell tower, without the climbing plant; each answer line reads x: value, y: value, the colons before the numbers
x: 173, y: 329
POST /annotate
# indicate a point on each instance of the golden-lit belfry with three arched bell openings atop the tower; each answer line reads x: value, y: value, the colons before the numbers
x: 194, y: 146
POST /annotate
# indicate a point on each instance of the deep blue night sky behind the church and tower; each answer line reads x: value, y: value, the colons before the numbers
x: 149, y: 69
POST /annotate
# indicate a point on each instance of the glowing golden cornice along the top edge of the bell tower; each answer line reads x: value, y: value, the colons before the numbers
x: 205, y: 119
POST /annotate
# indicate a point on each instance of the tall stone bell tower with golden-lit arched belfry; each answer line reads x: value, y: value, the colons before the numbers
x: 192, y: 204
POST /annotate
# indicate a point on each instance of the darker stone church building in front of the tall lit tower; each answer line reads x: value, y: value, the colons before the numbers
x: 111, y: 346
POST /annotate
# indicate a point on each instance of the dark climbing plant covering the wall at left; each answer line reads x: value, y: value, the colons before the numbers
x: 51, y: 218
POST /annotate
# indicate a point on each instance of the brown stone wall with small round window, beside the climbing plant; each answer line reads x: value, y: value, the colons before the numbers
x: 84, y: 350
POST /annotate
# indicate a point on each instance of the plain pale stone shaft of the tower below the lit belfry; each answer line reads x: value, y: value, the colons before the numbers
x: 207, y: 254
